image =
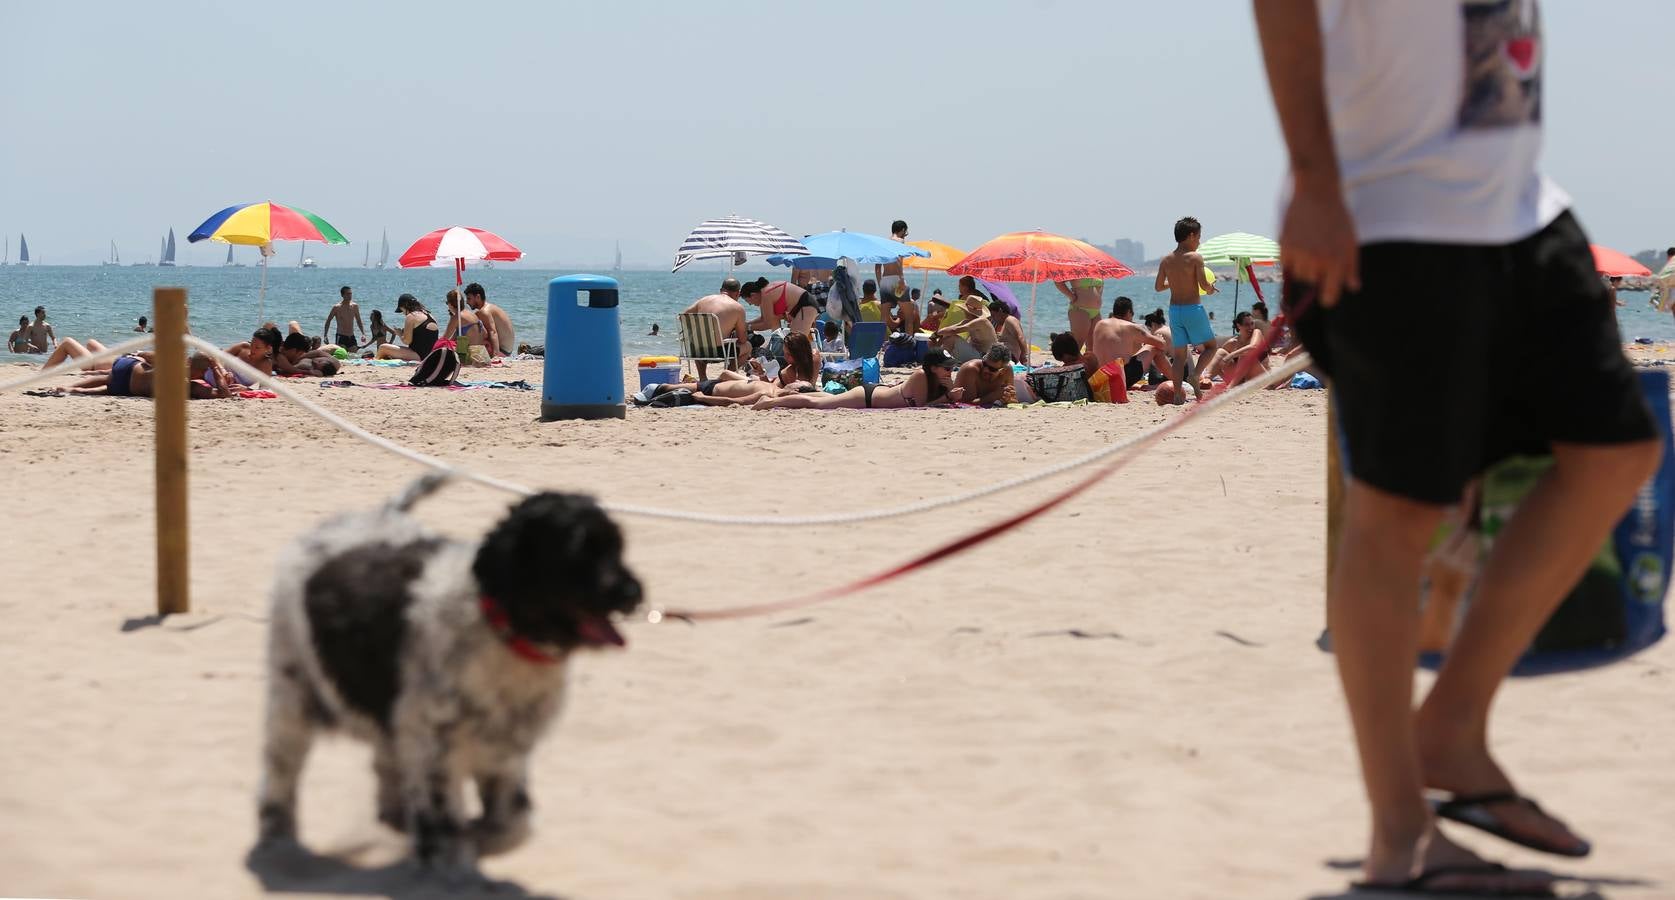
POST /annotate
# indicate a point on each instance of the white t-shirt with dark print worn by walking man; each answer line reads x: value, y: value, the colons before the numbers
x: 1436, y: 115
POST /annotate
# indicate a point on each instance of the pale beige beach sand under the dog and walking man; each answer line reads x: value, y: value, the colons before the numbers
x: 1120, y: 700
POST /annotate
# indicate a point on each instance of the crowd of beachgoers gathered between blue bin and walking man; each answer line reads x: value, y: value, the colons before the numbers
x: 969, y: 349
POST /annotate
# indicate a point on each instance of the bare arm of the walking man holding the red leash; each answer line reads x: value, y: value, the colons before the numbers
x: 1317, y: 239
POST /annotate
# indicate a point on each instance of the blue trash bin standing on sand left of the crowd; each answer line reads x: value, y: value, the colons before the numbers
x: 584, y: 351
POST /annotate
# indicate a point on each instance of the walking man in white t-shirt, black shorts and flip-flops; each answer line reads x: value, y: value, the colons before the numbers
x: 1415, y: 130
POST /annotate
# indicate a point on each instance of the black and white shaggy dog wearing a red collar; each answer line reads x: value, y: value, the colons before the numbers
x: 448, y: 658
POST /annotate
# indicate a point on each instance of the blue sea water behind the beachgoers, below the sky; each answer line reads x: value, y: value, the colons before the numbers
x: 105, y: 303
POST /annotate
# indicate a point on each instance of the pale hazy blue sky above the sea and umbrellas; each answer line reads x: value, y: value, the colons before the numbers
x: 569, y: 127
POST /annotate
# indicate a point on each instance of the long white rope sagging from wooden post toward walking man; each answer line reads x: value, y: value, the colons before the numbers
x: 1302, y: 361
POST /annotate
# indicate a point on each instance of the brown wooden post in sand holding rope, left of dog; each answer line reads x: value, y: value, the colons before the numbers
x: 170, y: 410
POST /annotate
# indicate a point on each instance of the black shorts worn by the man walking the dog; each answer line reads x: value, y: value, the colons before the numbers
x: 1453, y: 358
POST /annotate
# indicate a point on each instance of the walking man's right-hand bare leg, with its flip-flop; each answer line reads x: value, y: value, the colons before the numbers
x: 1544, y: 551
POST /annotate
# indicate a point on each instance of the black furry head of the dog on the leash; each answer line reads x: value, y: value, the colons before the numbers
x: 555, y: 562
